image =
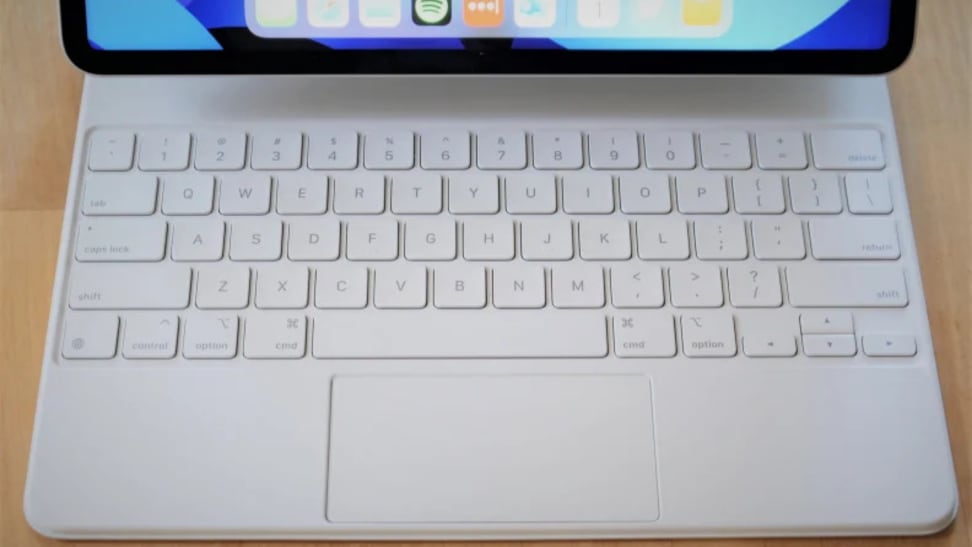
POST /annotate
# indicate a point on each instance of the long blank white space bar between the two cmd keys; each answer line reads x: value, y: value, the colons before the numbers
x: 458, y: 335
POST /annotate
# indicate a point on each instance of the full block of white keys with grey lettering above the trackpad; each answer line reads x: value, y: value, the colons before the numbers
x: 224, y: 244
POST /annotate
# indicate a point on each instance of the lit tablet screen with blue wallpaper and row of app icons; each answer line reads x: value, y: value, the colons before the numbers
x: 281, y: 25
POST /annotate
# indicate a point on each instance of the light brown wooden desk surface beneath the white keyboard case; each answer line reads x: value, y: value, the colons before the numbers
x: 39, y: 94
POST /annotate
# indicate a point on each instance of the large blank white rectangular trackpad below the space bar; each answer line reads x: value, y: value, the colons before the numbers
x: 492, y: 449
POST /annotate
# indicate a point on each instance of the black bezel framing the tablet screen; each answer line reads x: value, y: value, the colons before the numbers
x: 74, y: 29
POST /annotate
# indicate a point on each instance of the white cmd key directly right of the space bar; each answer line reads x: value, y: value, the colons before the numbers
x: 641, y: 334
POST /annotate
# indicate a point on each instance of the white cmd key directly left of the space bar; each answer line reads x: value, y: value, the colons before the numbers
x: 275, y: 336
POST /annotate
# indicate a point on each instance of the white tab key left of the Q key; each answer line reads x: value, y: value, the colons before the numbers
x: 127, y: 194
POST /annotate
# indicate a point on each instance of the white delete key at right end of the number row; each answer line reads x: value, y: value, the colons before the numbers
x: 848, y: 149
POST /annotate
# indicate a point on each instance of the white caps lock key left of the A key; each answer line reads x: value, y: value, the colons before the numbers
x: 121, y: 240
